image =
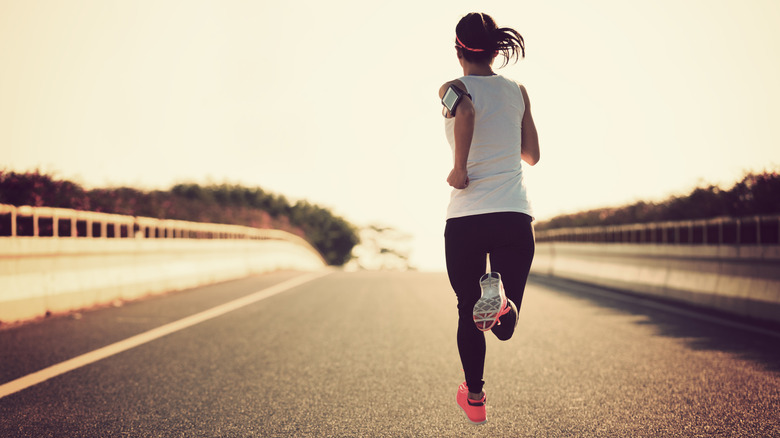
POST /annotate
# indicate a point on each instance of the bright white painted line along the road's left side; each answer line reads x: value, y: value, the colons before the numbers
x: 118, y: 347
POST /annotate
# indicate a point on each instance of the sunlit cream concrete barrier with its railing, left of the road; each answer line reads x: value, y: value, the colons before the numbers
x: 40, y: 275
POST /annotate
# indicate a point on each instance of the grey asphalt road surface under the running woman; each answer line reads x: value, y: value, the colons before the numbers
x: 373, y: 354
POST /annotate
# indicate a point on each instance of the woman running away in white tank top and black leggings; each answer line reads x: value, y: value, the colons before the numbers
x: 490, y: 129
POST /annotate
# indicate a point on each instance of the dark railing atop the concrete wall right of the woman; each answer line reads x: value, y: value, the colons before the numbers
x: 752, y: 230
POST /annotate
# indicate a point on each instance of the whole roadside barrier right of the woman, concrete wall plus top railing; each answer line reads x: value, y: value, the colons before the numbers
x: 730, y: 265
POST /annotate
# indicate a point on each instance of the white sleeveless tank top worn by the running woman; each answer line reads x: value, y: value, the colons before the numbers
x: 494, y: 166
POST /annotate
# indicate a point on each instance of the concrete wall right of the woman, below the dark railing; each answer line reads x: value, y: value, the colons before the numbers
x: 742, y: 280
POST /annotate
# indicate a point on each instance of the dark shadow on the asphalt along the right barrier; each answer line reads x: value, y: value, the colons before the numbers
x: 699, y: 328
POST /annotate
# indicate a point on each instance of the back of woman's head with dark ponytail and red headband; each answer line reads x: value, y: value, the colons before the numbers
x: 479, y: 39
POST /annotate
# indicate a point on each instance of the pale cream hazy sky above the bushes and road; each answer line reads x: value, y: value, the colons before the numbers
x: 336, y: 102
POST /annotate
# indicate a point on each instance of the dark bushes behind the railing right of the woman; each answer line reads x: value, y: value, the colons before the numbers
x: 756, y: 194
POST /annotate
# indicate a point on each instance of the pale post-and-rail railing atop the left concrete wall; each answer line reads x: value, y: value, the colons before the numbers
x: 27, y: 221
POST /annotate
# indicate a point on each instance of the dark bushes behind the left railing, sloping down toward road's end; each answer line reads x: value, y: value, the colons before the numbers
x: 331, y: 235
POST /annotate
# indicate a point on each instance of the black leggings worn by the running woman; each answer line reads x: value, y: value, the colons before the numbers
x: 509, y: 239
